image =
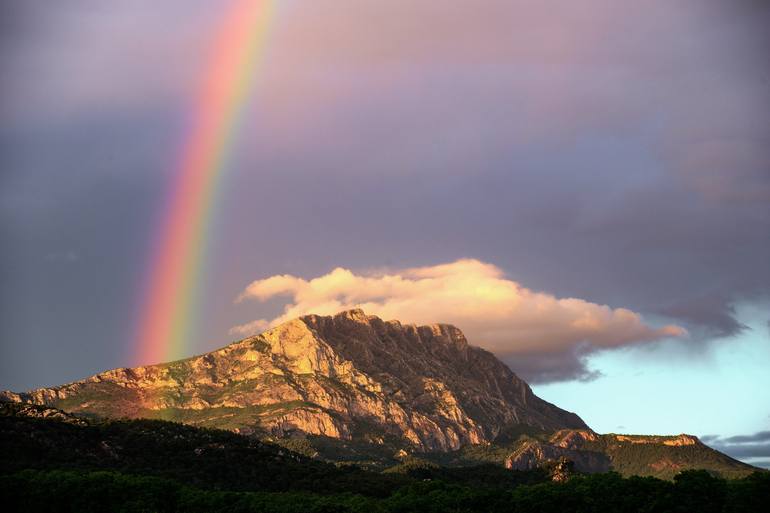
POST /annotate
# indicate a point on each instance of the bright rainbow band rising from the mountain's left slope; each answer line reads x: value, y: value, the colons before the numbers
x: 168, y: 299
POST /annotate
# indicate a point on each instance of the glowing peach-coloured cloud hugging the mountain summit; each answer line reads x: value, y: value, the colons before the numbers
x: 549, y: 335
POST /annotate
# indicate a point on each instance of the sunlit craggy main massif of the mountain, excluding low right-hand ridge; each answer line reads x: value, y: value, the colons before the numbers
x: 350, y: 377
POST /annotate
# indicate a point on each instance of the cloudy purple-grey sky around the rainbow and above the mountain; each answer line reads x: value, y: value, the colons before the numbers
x: 582, y: 187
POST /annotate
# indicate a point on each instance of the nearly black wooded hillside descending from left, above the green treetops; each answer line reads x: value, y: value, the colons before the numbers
x: 207, y: 458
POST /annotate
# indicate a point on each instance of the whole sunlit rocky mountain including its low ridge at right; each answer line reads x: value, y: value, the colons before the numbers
x: 355, y: 387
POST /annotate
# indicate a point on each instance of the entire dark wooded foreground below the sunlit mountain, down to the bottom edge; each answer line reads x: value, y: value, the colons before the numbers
x: 66, y: 465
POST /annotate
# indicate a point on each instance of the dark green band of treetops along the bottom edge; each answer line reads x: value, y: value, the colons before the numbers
x: 56, y: 491
